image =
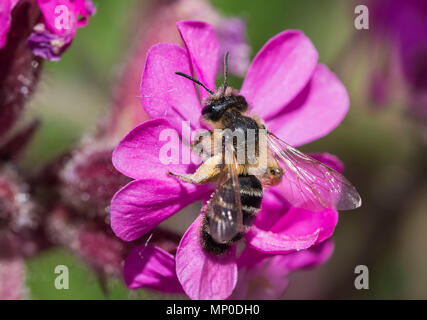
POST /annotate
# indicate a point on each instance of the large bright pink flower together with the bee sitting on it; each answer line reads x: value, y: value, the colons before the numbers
x: 296, y: 99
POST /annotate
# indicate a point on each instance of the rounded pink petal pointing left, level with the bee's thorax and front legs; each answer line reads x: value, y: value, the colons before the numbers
x: 138, y: 155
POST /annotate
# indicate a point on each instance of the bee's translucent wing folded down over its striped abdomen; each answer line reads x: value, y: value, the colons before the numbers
x: 224, y: 210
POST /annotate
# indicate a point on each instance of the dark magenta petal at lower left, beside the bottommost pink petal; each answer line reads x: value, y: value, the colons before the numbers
x: 151, y: 267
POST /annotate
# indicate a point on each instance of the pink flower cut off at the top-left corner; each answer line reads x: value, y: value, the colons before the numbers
x: 55, y: 32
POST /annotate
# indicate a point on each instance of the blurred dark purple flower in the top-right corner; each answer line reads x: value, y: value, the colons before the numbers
x: 400, y: 52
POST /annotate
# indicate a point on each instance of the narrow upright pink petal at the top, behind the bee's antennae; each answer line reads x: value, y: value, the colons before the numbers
x: 203, y: 48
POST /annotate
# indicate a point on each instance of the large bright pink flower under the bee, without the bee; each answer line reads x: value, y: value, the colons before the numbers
x: 300, y: 101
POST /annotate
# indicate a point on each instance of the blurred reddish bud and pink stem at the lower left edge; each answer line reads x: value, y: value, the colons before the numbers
x: 20, y: 234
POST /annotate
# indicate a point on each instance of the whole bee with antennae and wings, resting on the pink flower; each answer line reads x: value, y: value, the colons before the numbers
x: 233, y: 206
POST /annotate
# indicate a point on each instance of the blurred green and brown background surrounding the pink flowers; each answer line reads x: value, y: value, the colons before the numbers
x: 382, y: 150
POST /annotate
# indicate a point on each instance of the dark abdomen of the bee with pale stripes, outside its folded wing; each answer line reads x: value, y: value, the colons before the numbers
x: 251, y: 193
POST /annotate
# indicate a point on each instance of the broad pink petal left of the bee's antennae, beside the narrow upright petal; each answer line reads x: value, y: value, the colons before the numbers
x: 165, y: 94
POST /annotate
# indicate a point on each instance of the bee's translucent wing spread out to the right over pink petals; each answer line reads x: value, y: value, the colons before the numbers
x: 309, y: 184
